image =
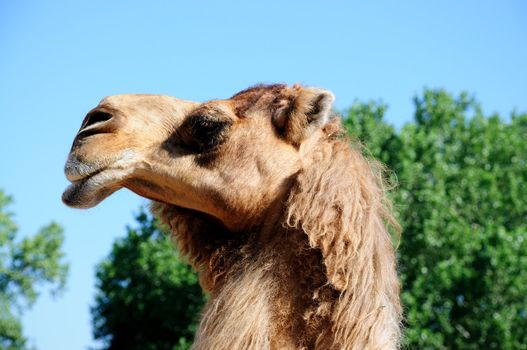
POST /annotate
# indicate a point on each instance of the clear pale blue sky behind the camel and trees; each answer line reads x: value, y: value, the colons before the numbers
x: 59, y: 58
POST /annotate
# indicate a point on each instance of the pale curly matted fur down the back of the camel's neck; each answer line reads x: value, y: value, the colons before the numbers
x: 340, y: 203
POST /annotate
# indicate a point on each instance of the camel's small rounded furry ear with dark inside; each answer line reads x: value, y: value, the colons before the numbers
x: 308, y: 109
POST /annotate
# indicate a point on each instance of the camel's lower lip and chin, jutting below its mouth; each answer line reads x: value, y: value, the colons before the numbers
x: 88, y: 192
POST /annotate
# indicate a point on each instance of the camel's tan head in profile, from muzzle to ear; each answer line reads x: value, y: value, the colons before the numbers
x: 231, y: 159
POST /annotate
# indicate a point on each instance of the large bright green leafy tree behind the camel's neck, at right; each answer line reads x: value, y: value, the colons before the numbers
x: 462, y: 202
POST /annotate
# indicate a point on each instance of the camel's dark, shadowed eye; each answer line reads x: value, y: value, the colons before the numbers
x: 204, y: 133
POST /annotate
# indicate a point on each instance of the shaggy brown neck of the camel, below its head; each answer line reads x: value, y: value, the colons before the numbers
x: 320, y: 275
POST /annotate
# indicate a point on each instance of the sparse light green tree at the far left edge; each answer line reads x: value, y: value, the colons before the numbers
x: 24, y: 264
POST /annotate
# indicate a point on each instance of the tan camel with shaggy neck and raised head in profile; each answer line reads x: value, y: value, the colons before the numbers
x: 282, y: 216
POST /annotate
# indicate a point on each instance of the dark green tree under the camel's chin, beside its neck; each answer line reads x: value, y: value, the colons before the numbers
x: 147, y: 298
